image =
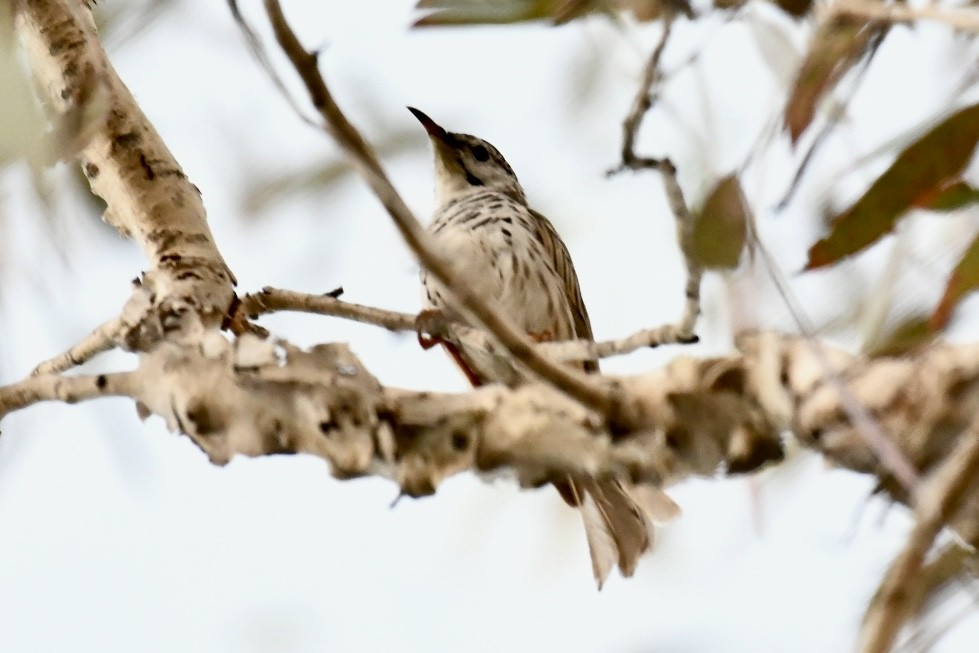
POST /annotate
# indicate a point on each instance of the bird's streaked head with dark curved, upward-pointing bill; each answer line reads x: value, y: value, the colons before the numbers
x: 465, y: 164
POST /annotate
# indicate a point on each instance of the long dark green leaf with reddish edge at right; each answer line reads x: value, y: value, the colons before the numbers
x: 918, y: 176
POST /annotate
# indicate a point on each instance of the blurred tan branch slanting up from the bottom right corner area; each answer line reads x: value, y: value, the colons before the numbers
x: 935, y: 504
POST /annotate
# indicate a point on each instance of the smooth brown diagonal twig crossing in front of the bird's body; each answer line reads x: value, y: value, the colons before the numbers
x: 576, y: 384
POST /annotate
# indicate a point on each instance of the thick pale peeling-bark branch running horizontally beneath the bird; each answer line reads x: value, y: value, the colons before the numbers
x: 257, y: 397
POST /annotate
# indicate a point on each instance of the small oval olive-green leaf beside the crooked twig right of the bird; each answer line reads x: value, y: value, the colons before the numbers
x: 719, y: 229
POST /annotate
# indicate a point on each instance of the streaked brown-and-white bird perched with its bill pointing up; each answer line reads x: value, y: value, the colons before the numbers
x: 511, y: 253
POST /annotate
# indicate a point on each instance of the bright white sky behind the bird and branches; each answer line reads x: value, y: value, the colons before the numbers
x: 117, y: 536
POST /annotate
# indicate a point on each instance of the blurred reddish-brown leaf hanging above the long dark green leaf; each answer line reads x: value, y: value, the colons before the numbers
x: 836, y: 47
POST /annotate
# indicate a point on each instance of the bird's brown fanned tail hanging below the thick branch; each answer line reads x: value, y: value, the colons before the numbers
x: 619, y: 522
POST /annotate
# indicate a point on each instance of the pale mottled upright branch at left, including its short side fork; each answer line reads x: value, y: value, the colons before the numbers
x: 148, y: 196
